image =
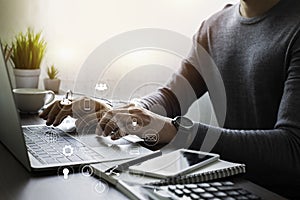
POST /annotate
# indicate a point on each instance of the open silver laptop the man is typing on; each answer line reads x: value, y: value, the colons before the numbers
x: 41, y: 148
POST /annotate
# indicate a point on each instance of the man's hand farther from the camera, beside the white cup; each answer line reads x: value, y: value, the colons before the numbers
x: 79, y: 109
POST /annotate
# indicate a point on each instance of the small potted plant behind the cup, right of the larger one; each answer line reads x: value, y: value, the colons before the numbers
x: 52, y: 82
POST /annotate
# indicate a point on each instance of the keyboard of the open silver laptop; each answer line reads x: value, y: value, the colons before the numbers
x: 51, y: 145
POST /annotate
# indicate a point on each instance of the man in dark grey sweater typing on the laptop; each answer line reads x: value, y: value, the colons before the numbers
x: 256, y: 47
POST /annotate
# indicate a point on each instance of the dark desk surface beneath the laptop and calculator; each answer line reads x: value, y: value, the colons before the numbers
x: 17, y: 183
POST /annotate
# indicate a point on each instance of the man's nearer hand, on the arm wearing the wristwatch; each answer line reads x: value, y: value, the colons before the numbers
x: 138, y: 121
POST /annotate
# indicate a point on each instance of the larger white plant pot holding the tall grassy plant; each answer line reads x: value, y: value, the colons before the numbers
x: 27, y: 78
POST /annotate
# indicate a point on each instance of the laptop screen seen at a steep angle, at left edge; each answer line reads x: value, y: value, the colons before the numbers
x: 11, y: 133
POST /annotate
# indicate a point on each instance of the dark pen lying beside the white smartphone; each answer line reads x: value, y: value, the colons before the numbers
x: 134, y: 161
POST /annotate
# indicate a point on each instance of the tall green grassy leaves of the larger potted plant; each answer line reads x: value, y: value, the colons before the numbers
x: 28, y: 50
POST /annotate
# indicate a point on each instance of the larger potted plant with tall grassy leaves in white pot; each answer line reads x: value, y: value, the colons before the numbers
x: 27, y: 52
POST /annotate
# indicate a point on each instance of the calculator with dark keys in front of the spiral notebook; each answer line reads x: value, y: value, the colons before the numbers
x: 225, y: 190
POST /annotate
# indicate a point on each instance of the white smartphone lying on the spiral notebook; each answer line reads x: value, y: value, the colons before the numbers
x: 178, y: 162
